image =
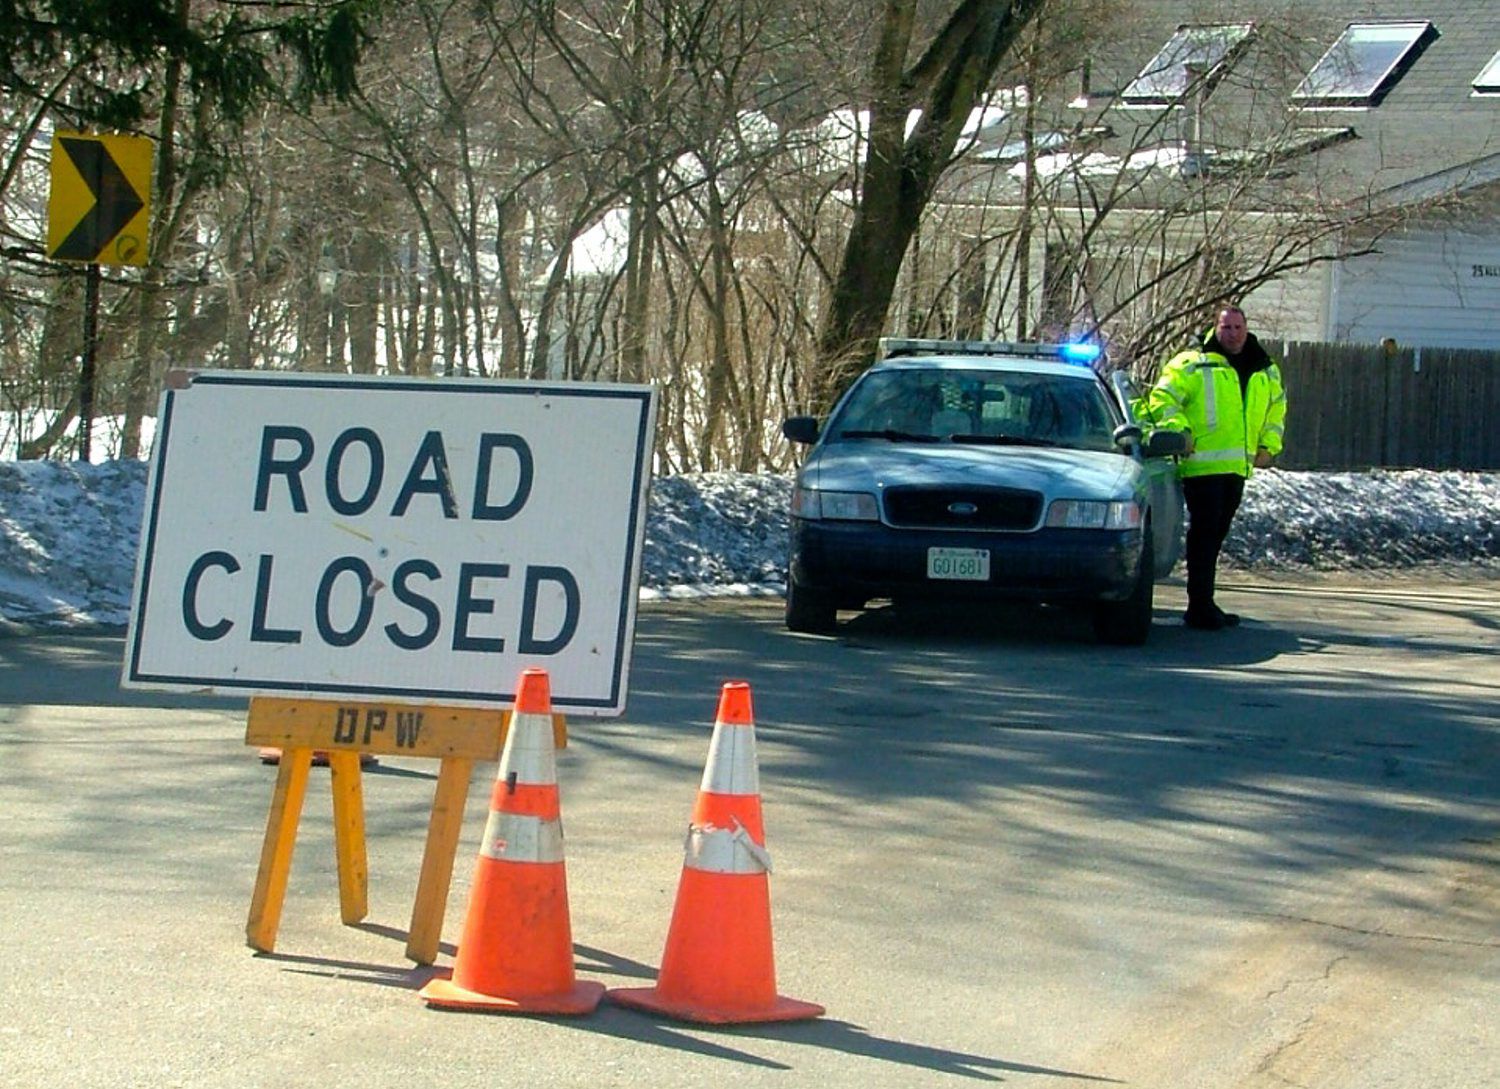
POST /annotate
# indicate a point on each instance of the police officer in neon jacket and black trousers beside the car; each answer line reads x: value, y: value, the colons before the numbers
x: 1229, y: 401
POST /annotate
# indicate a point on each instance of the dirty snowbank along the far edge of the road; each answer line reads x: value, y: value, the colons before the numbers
x: 70, y: 532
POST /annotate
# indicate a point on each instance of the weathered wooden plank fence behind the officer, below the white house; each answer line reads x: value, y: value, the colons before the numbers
x: 1355, y: 407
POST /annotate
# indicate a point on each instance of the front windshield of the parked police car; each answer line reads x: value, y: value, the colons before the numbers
x: 977, y: 407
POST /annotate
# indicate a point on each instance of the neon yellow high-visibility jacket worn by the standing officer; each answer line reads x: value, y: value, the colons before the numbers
x: 1199, y: 392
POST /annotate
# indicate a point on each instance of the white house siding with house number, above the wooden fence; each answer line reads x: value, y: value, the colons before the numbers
x: 1426, y: 289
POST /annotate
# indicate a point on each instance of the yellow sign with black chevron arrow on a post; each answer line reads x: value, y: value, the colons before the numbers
x: 101, y: 200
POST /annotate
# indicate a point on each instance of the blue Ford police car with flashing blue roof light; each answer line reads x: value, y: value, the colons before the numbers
x: 971, y: 470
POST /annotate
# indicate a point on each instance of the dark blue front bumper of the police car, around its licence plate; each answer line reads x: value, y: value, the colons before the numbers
x: 863, y: 560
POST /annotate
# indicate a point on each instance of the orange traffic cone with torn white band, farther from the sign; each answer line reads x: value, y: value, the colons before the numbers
x: 718, y: 965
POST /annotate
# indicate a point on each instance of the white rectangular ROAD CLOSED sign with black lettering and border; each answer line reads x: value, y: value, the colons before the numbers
x: 403, y: 539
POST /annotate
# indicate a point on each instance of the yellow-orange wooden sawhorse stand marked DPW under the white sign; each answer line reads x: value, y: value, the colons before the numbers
x: 455, y: 736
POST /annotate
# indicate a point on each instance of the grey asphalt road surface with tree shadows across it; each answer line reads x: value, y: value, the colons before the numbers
x: 1003, y: 853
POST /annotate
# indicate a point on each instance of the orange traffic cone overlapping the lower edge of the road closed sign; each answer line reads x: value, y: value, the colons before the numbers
x: 517, y: 952
